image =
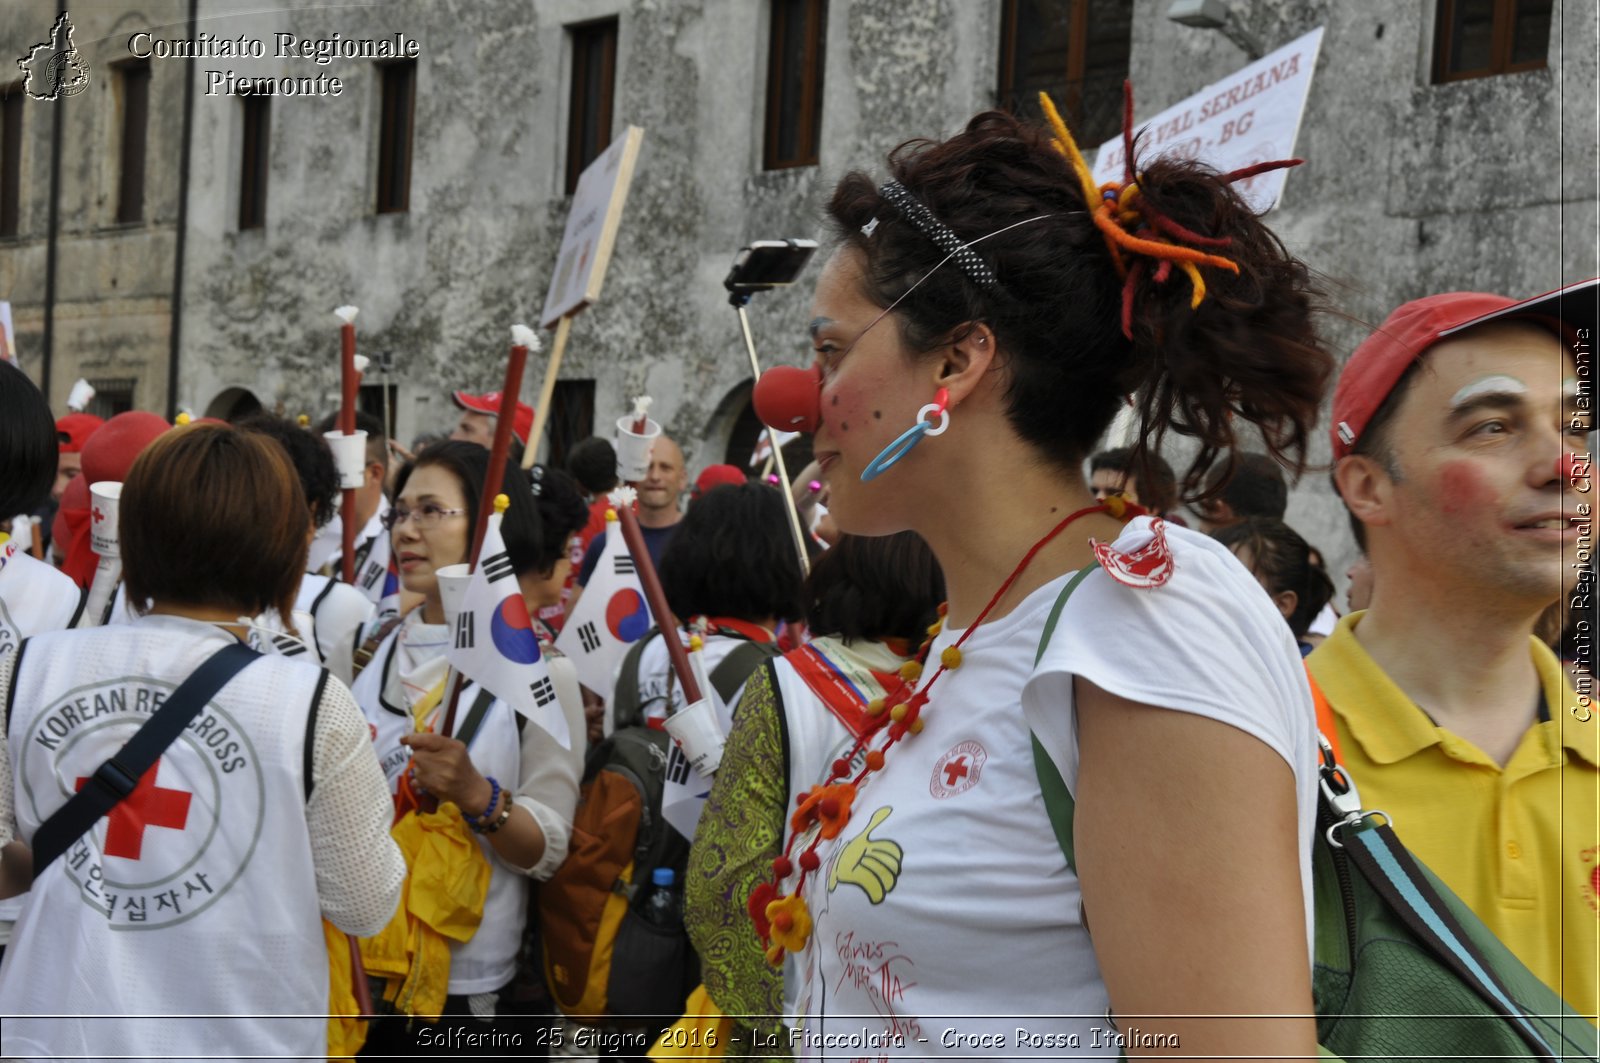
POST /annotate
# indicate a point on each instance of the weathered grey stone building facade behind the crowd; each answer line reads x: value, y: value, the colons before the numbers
x: 1410, y: 187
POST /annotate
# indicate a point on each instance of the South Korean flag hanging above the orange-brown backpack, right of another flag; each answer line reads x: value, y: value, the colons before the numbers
x: 610, y: 616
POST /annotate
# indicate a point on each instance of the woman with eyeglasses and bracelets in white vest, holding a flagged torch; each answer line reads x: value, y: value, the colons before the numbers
x: 514, y: 785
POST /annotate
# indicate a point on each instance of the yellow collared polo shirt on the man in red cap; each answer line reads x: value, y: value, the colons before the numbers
x: 1519, y: 844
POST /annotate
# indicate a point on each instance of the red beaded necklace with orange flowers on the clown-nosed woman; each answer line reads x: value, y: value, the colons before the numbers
x: 783, y: 921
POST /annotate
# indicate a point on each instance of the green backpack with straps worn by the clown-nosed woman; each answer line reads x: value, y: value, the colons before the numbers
x: 1402, y: 968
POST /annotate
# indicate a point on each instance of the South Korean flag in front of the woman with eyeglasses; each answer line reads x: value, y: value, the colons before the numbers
x: 494, y: 641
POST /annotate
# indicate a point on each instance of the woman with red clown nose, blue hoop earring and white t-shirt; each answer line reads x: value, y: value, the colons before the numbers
x: 983, y: 315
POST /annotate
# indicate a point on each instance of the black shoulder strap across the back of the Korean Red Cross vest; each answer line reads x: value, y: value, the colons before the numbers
x: 121, y: 774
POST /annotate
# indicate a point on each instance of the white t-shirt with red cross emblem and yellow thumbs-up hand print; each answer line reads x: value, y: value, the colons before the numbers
x: 959, y: 901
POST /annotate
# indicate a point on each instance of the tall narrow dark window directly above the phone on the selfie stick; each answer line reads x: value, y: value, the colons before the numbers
x: 794, y: 84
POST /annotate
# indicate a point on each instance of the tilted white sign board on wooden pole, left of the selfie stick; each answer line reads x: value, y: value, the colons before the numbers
x: 591, y: 230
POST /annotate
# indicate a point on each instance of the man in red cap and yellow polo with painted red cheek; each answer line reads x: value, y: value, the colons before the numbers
x: 1460, y: 438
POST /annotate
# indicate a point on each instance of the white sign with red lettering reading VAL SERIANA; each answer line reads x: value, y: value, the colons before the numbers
x: 1246, y: 119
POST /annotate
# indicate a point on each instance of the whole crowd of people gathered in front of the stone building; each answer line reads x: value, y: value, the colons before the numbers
x: 994, y: 609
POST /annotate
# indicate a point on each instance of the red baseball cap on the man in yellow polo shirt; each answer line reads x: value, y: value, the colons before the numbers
x: 1383, y: 358
